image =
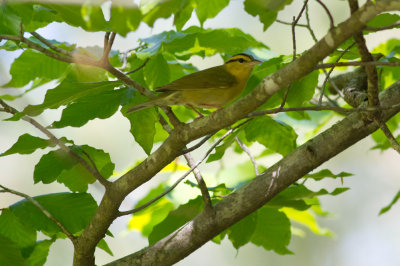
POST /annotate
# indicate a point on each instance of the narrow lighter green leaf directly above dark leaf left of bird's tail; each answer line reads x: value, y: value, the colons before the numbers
x: 68, y: 92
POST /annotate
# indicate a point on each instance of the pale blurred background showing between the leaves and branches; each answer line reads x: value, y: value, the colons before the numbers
x: 361, y: 237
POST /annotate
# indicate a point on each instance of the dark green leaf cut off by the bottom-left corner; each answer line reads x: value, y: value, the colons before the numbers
x: 10, y: 254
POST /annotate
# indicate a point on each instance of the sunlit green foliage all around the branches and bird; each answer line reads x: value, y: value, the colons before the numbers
x: 87, y: 93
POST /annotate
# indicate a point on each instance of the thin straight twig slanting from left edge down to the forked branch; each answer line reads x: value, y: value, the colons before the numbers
x: 59, y: 143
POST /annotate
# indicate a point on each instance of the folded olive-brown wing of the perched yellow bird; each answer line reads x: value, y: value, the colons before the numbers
x: 212, y: 78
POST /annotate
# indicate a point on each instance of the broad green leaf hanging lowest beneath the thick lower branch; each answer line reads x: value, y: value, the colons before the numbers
x: 272, y: 231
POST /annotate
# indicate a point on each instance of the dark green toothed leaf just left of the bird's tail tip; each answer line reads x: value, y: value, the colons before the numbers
x: 100, y: 105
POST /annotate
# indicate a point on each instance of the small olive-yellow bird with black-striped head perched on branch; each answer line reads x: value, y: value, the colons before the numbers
x: 210, y: 88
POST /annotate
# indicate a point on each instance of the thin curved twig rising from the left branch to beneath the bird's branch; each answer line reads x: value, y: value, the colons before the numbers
x: 230, y: 131
